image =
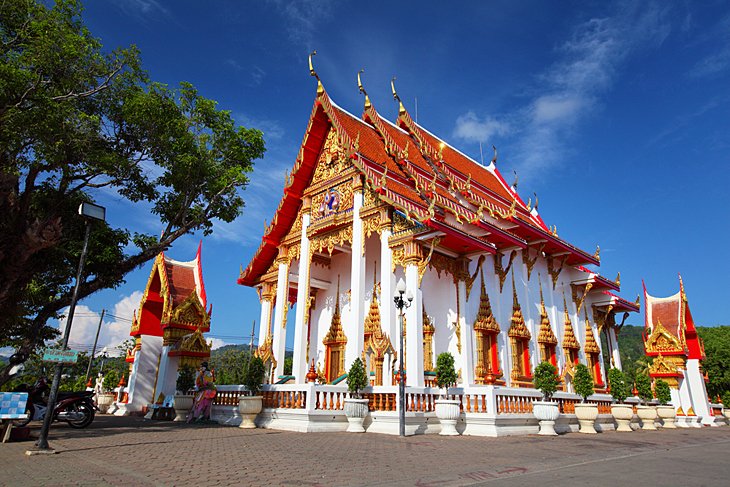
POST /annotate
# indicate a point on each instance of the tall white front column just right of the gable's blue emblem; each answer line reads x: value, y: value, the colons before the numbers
x: 356, y: 328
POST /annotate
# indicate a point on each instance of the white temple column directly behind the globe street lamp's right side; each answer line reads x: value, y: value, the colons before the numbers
x: 414, y: 330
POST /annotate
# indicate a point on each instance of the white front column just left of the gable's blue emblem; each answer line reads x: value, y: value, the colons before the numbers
x: 299, y: 367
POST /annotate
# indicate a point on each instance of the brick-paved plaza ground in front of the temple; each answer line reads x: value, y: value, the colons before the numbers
x: 133, y: 451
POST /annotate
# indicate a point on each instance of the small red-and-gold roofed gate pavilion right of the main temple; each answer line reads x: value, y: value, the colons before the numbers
x: 670, y: 338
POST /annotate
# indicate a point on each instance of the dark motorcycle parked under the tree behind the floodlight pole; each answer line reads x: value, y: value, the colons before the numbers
x: 75, y: 408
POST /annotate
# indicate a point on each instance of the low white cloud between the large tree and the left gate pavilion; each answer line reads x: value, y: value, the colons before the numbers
x: 114, y: 329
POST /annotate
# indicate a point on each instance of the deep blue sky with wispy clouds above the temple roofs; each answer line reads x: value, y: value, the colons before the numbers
x: 616, y: 114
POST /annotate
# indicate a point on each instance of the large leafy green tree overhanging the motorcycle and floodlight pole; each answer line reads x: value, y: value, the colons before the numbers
x: 73, y: 119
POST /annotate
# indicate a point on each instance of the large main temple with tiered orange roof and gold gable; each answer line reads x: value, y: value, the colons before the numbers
x: 369, y: 201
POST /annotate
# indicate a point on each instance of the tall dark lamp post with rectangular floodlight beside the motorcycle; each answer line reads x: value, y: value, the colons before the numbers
x: 89, y: 212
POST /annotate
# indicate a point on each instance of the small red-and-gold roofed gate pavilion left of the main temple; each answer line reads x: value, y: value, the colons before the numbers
x: 167, y: 330
